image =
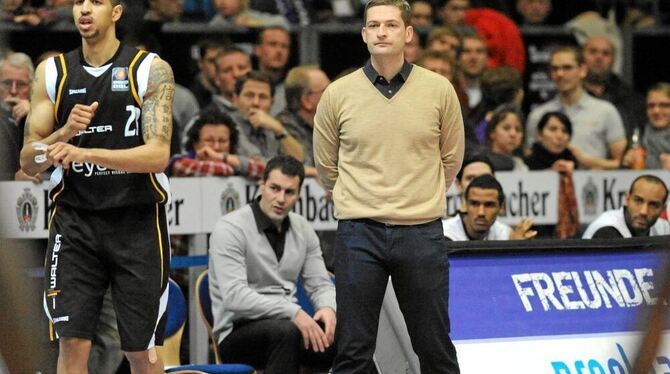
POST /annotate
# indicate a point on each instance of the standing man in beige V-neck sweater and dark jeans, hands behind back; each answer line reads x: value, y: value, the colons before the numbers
x: 388, y: 141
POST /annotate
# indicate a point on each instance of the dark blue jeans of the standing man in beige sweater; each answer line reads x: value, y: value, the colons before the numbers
x: 366, y: 254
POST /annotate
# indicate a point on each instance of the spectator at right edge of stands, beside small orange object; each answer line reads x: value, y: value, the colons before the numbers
x: 656, y: 136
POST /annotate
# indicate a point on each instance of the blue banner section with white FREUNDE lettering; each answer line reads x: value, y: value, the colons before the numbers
x: 525, y: 295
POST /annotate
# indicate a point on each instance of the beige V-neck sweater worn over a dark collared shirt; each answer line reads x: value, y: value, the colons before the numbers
x: 389, y: 160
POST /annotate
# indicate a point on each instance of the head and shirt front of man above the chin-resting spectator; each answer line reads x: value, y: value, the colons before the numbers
x: 272, y: 50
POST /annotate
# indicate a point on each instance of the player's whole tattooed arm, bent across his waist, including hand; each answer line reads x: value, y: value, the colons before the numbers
x: 153, y: 155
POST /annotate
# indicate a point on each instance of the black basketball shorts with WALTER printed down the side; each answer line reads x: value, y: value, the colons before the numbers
x: 125, y: 248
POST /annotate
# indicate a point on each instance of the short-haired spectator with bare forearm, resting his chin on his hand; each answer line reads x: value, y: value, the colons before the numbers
x: 261, y: 135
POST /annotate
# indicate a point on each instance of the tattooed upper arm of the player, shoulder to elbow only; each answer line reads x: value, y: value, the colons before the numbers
x: 157, y: 107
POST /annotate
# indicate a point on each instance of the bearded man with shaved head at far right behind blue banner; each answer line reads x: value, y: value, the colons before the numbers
x: 639, y: 217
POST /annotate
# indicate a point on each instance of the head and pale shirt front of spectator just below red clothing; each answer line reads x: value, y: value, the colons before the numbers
x: 473, y: 59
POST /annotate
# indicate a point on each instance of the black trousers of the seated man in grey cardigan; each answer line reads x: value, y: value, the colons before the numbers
x: 273, y: 344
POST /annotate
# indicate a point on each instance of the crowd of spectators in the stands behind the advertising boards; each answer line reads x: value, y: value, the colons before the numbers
x: 248, y: 103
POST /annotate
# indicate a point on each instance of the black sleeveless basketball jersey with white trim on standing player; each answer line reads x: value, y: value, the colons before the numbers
x: 118, y: 86
